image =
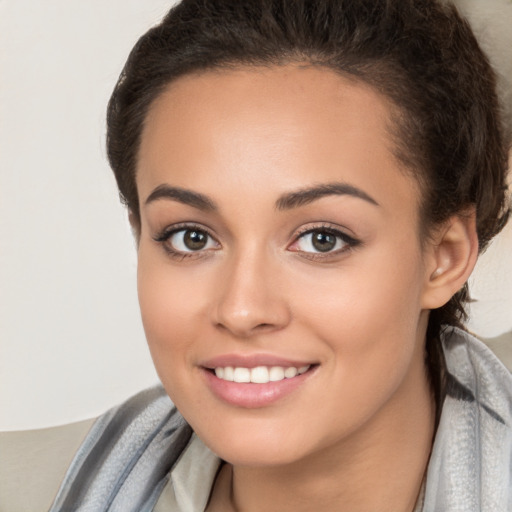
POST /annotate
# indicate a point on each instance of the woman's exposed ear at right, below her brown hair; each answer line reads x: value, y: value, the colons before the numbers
x: 450, y: 259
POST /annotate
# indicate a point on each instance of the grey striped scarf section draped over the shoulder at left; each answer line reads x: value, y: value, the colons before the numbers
x: 124, y: 462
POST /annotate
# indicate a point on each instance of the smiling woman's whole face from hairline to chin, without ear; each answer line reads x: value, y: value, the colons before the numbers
x: 279, y: 235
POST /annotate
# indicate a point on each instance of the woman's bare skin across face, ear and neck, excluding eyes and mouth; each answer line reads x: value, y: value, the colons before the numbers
x: 357, y: 433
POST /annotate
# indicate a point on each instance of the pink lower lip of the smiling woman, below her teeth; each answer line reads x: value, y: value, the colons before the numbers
x: 250, y: 395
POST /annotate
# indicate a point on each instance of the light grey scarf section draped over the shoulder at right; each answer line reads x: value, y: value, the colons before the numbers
x: 469, y: 467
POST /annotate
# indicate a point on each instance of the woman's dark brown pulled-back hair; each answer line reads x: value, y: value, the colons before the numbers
x: 420, y: 54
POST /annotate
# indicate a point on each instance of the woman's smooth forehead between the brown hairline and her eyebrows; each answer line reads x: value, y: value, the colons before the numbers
x: 287, y: 126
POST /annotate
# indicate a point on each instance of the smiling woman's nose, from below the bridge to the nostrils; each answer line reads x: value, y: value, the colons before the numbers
x: 250, y: 298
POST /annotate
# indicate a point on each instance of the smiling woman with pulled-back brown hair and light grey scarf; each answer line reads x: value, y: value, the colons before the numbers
x: 310, y: 184
